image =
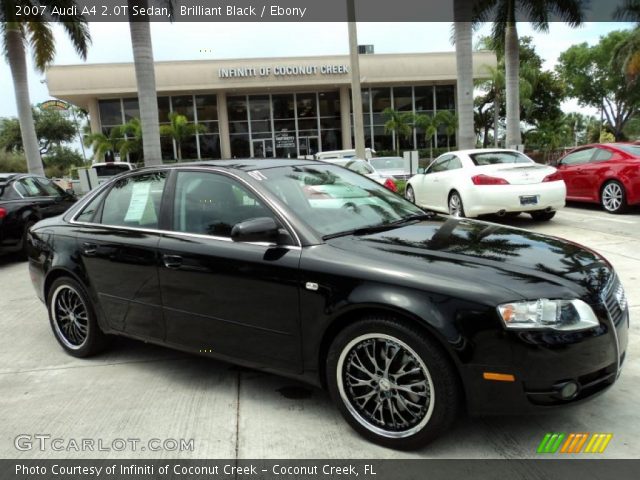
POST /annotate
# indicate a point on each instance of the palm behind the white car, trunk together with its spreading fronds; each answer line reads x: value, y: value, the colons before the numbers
x: 503, y: 14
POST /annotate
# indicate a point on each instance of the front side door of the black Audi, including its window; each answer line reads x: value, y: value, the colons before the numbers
x: 234, y: 299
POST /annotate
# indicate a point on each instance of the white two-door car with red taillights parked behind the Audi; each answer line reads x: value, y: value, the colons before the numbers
x: 469, y: 183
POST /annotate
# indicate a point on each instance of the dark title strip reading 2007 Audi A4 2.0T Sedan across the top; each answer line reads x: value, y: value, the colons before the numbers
x: 307, y: 10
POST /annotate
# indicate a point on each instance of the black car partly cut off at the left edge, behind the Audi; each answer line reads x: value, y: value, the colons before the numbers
x: 25, y: 199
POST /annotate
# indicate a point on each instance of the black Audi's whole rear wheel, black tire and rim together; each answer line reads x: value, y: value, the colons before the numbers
x: 78, y: 334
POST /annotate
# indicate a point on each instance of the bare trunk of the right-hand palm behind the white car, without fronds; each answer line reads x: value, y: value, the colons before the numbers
x: 512, y: 72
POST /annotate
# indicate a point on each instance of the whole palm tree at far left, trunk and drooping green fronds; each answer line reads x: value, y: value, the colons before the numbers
x: 16, y: 32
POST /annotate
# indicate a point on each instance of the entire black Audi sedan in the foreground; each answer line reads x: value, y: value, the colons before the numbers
x: 312, y: 271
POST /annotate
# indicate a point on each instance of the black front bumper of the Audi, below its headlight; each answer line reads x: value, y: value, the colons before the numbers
x: 544, y: 362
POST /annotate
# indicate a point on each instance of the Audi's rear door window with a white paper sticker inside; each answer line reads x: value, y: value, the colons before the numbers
x: 134, y: 201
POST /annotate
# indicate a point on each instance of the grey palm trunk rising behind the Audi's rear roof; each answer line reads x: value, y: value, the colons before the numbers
x: 146, y: 81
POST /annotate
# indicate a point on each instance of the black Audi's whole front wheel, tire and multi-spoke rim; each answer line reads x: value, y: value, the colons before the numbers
x: 385, y: 417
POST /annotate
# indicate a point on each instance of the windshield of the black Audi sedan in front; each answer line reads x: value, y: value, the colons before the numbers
x: 333, y: 200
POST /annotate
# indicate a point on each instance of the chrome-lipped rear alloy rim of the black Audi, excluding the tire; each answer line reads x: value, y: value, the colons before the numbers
x: 70, y: 317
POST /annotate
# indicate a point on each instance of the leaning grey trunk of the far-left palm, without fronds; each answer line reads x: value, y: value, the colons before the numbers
x: 18, y: 66
